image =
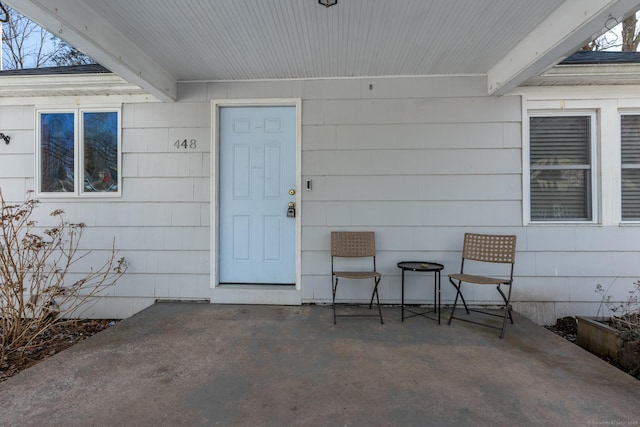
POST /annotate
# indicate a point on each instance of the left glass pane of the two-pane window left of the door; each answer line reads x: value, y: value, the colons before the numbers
x: 56, y: 152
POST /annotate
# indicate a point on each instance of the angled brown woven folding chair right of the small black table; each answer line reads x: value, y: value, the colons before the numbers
x: 481, y: 249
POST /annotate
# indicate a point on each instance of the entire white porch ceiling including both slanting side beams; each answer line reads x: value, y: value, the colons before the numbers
x: 158, y: 43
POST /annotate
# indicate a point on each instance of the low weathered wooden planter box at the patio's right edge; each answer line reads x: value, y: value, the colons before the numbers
x: 602, y: 340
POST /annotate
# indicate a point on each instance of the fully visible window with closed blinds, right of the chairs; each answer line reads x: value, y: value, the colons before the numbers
x: 560, y: 166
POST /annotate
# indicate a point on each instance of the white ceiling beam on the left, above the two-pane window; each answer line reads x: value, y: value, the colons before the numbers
x: 74, y: 22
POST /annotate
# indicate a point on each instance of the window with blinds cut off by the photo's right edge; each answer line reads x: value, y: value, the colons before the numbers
x: 630, y: 156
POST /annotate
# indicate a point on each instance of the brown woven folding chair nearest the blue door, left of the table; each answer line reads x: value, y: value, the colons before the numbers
x: 354, y: 244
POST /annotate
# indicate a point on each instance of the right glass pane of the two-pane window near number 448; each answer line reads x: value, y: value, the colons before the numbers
x: 101, y: 172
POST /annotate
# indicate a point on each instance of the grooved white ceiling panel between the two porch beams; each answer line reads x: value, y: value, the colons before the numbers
x: 262, y: 39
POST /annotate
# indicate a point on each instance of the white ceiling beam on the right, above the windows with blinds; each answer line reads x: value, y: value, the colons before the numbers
x: 572, y: 25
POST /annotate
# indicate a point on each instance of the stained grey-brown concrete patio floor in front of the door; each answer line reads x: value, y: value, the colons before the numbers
x: 199, y: 364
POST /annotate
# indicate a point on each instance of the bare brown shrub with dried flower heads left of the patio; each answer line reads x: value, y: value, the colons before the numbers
x: 38, y: 285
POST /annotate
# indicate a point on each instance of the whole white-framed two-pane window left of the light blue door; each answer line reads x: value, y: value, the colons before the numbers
x: 78, y: 152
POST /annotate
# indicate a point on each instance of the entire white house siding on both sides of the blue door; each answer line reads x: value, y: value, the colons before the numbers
x: 419, y: 161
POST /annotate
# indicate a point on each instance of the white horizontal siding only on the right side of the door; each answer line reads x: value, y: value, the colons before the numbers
x: 420, y: 171
